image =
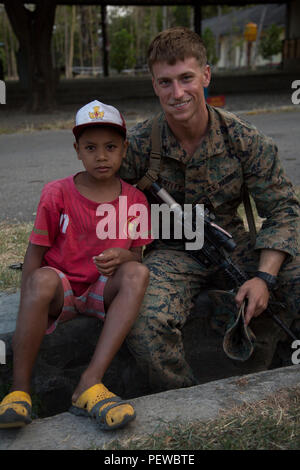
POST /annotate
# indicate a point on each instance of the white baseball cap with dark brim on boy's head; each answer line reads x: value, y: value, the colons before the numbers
x: 96, y: 113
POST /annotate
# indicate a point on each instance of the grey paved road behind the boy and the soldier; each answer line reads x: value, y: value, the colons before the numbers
x: 28, y: 161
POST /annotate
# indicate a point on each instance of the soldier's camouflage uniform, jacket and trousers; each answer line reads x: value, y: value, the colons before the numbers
x: 233, y: 152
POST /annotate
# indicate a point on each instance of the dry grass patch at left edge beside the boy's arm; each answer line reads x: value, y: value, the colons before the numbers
x: 13, y: 244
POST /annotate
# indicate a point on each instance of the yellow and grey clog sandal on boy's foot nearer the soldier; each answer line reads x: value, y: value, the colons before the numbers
x: 109, y: 410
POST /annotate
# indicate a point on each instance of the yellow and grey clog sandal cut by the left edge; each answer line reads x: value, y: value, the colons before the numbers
x: 15, y: 410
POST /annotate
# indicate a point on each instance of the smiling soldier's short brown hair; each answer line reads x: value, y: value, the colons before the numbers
x: 175, y: 44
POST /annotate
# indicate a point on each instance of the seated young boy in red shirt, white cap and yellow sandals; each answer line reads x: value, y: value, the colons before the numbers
x: 66, y: 253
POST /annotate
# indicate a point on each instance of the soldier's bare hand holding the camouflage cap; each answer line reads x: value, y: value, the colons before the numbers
x: 257, y: 294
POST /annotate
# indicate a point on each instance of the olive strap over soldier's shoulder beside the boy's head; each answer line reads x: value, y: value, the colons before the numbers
x: 152, y: 173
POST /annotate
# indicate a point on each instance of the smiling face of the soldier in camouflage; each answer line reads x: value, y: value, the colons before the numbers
x: 180, y: 88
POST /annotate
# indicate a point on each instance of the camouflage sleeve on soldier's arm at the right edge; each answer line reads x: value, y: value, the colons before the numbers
x: 274, y: 197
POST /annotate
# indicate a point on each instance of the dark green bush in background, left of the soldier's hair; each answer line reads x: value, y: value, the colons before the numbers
x: 121, y: 54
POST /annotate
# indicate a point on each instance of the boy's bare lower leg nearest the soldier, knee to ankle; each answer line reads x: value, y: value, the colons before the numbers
x: 123, y: 293
